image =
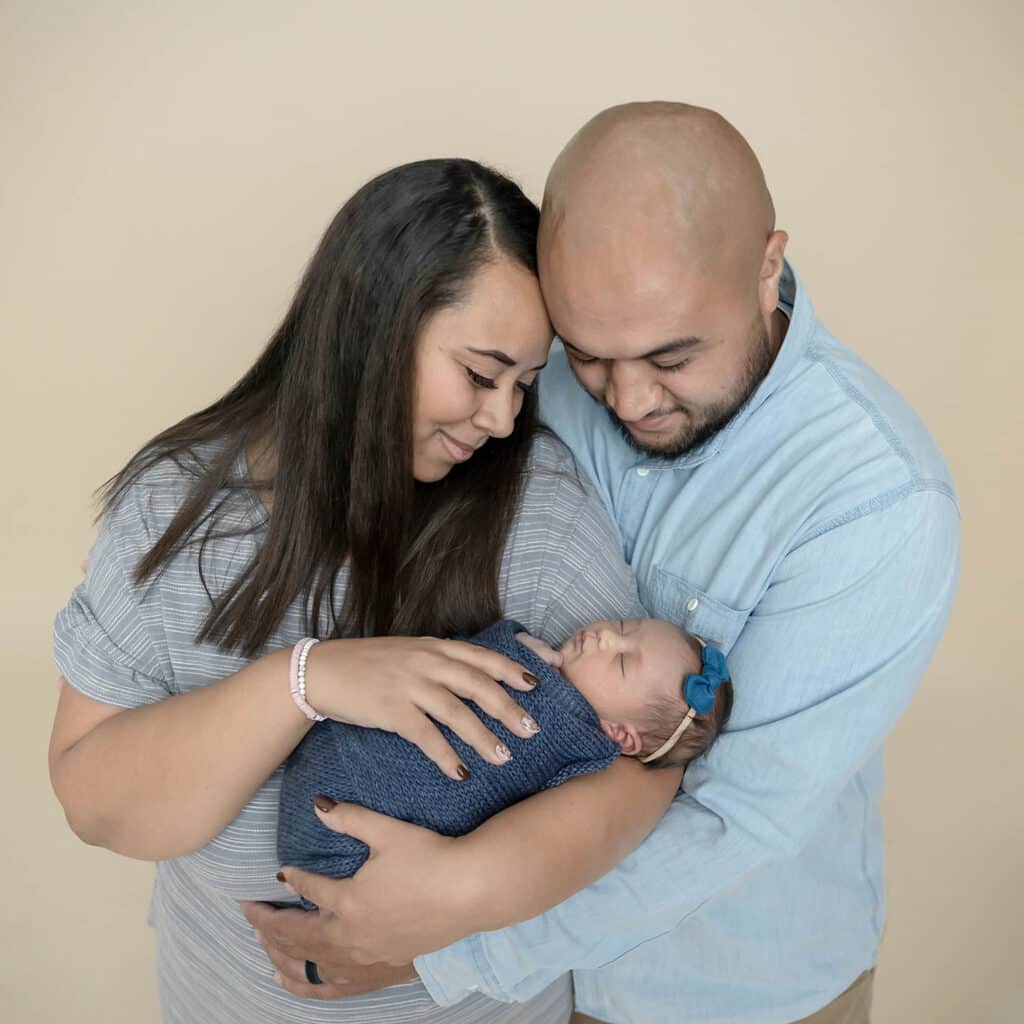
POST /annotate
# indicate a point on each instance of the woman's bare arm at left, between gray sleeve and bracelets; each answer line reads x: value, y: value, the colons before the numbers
x: 160, y: 781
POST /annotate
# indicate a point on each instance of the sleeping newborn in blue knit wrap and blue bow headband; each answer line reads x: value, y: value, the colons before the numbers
x: 642, y: 688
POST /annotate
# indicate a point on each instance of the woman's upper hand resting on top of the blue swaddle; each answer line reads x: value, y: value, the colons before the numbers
x: 401, y: 684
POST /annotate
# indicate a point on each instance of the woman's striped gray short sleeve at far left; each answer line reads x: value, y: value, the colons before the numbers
x: 108, y: 641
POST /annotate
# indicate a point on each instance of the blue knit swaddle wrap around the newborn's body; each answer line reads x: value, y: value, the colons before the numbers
x: 387, y: 774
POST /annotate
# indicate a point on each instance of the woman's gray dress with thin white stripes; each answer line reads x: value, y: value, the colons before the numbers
x: 125, y: 645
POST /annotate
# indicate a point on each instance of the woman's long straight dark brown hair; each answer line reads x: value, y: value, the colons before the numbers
x: 332, y: 395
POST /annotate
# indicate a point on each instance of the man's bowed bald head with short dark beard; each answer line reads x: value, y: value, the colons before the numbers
x: 661, y: 267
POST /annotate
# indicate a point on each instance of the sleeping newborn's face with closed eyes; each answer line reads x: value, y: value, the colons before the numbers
x: 620, y: 666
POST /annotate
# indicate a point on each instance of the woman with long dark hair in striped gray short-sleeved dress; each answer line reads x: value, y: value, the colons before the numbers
x: 373, y: 481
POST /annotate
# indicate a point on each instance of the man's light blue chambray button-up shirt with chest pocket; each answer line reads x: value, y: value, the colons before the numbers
x: 816, y: 539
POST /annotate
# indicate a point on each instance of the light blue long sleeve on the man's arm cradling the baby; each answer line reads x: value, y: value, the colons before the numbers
x: 826, y: 665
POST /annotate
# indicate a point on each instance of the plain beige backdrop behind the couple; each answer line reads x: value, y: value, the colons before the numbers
x: 166, y: 172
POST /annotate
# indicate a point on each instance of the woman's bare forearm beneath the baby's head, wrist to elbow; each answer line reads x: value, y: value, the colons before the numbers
x: 541, y: 851
